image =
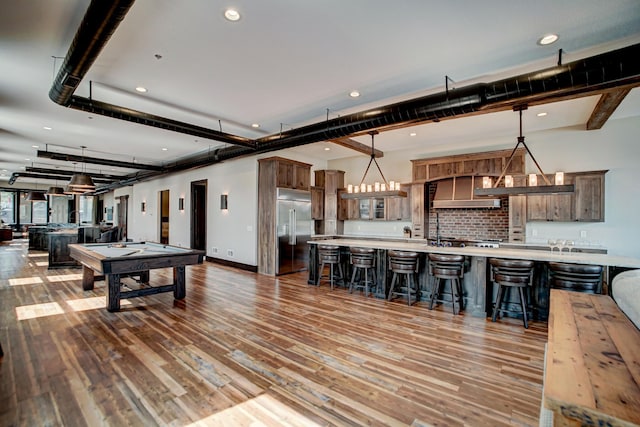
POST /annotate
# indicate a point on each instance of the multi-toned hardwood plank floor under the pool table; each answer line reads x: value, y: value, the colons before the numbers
x: 244, y: 349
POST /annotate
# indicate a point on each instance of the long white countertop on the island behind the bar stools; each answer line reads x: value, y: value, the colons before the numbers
x: 536, y: 255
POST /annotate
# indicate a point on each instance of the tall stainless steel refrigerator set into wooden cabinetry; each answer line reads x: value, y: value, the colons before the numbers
x: 294, y: 230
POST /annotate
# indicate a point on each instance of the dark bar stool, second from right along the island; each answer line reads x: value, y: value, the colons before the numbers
x: 510, y: 273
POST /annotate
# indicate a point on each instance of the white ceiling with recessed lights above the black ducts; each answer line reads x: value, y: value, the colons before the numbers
x: 284, y: 64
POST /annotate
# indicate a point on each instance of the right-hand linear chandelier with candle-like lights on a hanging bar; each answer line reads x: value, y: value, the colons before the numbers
x: 558, y: 187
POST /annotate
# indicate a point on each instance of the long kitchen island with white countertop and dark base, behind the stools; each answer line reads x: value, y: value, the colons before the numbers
x: 478, y: 291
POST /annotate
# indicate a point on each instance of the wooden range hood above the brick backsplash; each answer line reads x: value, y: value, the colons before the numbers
x: 457, y: 193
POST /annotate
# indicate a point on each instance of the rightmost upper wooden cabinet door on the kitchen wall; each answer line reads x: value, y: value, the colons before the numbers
x: 589, y: 197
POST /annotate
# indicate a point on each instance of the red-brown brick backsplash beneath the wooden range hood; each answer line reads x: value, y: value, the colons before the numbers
x: 471, y: 223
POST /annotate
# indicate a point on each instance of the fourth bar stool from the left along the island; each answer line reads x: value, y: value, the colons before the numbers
x: 448, y: 268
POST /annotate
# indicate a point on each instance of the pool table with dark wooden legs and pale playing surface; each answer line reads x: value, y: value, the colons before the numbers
x: 114, y: 260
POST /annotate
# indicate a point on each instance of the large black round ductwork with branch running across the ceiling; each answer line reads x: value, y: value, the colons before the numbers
x: 589, y: 76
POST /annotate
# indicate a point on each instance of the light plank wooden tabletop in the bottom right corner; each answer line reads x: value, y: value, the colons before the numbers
x: 592, y: 374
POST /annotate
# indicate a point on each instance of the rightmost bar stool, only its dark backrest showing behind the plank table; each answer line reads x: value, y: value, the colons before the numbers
x: 576, y: 277
